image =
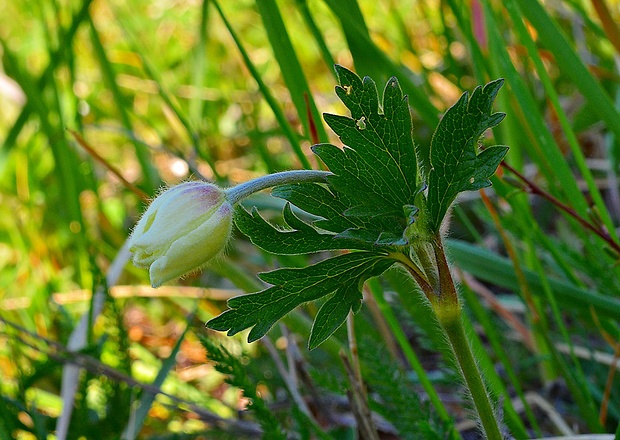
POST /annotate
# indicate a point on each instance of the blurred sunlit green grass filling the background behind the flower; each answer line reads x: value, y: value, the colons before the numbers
x: 231, y: 90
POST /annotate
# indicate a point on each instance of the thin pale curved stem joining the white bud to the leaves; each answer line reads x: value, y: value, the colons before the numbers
x: 246, y: 189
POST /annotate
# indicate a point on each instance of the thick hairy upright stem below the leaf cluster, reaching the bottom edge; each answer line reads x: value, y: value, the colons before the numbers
x: 449, y: 314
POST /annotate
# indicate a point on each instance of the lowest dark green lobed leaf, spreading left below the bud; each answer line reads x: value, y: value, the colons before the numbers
x: 293, y: 287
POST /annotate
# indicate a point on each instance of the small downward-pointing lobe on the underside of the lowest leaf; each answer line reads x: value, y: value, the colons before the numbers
x: 333, y: 313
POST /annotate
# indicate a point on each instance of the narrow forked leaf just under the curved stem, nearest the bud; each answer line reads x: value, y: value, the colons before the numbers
x: 303, y: 239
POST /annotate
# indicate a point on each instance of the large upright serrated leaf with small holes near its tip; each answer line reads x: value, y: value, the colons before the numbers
x: 377, y: 165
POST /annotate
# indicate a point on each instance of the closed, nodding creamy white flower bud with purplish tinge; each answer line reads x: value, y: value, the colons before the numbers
x: 183, y: 228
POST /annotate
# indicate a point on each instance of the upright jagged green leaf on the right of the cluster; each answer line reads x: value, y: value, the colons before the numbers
x: 455, y: 164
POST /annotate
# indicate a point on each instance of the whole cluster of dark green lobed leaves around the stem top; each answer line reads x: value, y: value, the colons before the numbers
x: 372, y: 204
